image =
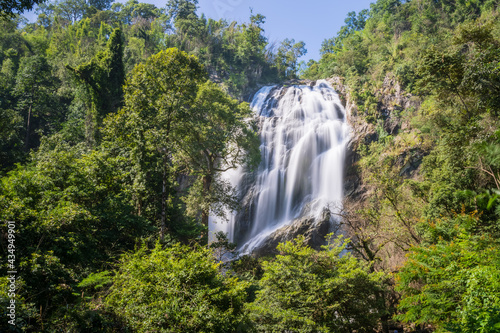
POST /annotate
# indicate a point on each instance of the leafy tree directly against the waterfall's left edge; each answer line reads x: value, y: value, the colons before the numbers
x: 214, y: 137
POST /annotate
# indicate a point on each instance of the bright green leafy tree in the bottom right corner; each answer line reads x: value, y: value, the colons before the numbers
x: 452, y: 281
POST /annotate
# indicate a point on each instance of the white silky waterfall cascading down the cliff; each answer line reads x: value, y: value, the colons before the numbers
x: 304, y: 134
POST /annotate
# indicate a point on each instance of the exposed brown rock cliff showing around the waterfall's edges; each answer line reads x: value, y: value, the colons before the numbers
x: 392, y: 101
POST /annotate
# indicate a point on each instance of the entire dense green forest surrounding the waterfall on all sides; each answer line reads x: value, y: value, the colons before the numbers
x: 117, y: 119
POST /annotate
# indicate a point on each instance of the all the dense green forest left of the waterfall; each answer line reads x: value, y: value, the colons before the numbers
x: 112, y: 136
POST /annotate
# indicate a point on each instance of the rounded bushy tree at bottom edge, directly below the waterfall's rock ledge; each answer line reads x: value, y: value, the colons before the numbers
x: 304, y: 290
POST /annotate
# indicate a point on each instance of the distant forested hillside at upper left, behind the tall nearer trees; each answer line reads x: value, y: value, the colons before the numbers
x: 66, y: 70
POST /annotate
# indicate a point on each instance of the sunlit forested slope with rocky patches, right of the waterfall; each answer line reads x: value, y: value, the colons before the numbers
x: 431, y: 166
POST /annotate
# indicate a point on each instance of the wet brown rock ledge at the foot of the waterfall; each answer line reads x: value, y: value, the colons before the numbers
x: 314, y: 230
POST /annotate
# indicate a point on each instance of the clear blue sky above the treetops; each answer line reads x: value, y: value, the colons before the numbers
x: 310, y: 21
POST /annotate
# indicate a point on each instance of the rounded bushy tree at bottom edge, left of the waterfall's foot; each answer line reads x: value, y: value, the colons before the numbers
x: 177, y: 289
